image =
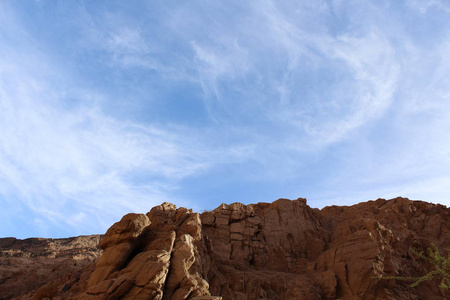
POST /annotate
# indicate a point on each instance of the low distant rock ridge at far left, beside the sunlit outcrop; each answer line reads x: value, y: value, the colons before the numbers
x: 26, y: 265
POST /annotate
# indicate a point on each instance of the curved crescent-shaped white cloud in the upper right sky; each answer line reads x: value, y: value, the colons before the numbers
x: 374, y: 76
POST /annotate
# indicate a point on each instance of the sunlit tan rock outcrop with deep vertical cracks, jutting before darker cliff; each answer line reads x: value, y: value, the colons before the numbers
x: 153, y: 256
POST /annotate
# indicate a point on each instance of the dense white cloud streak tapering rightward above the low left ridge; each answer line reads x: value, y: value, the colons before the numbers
x: 50, y: 157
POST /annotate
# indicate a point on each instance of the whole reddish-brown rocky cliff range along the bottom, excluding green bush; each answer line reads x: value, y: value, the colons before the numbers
x: 280, y: 250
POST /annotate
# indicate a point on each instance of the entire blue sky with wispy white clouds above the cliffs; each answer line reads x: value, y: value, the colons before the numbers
x: 110, y: 107
